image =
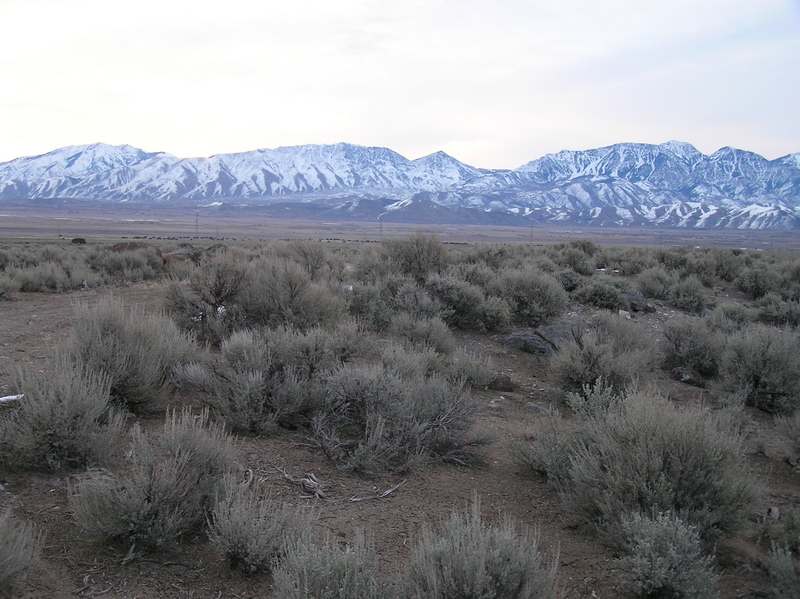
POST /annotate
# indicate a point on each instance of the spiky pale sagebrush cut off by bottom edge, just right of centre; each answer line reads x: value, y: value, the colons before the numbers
x: 467, y: 559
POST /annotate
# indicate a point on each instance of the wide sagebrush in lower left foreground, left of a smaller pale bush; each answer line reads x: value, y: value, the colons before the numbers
x: 171, y: 487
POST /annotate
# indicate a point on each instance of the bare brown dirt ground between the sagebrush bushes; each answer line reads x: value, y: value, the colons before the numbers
x: 31, y: 325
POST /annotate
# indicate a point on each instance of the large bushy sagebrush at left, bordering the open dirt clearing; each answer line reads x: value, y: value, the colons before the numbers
x: 137, y: 351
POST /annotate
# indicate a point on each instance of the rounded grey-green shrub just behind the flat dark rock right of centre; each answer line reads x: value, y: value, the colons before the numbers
x: 534, y: 297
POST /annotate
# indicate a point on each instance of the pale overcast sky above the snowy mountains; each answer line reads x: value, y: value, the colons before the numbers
x: 494, y: 83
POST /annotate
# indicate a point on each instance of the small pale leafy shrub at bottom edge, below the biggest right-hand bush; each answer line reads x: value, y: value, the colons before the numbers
x: 663, y: 557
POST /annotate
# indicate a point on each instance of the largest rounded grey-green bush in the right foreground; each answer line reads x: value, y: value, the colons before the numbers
x: 646, y: 456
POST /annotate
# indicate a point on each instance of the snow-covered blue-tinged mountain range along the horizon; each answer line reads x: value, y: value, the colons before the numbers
x: 670, y: 184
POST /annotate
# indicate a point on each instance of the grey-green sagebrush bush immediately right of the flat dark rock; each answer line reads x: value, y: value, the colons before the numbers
x: 613, y: 350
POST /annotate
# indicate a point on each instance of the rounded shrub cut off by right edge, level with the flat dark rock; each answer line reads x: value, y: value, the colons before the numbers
x: 765, y: 363
